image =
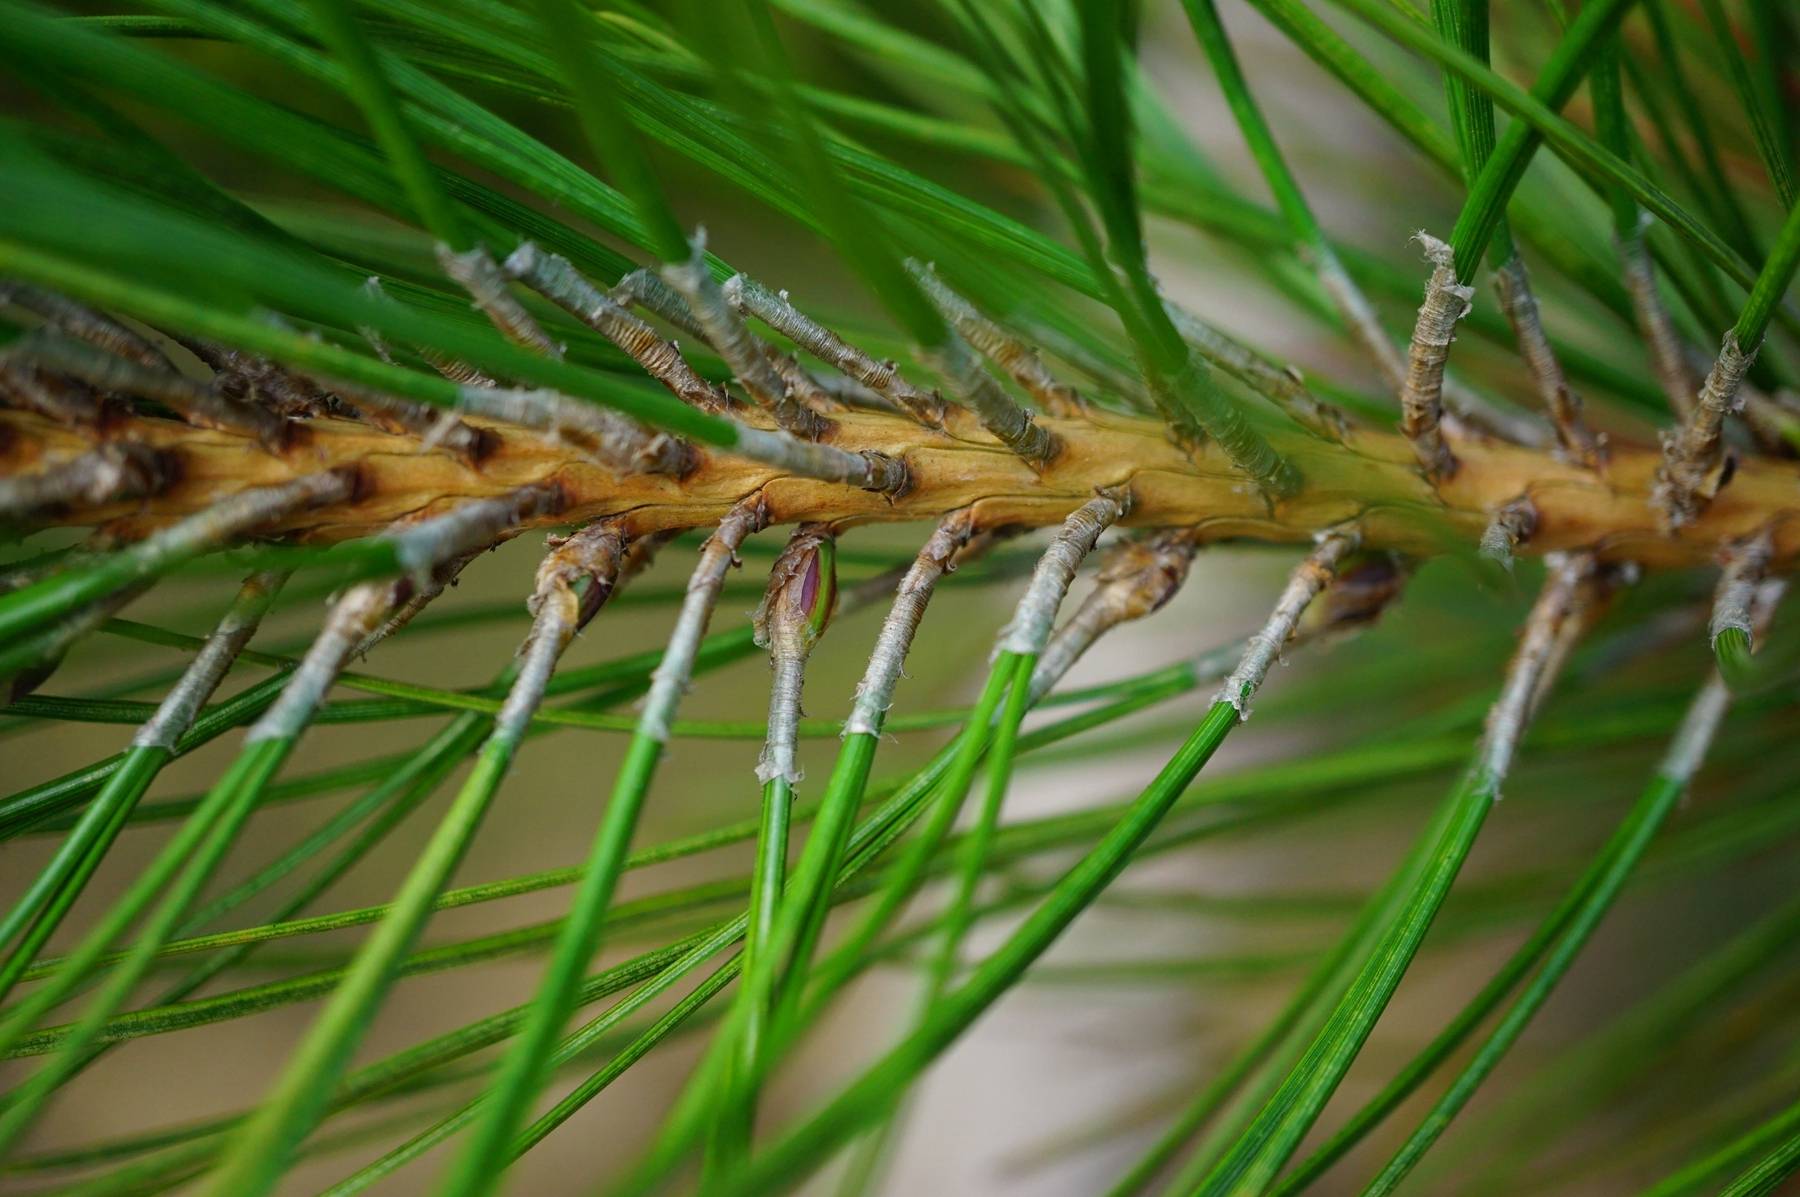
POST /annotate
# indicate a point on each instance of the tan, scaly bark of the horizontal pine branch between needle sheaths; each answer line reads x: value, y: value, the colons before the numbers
x: 1372, y: 478
